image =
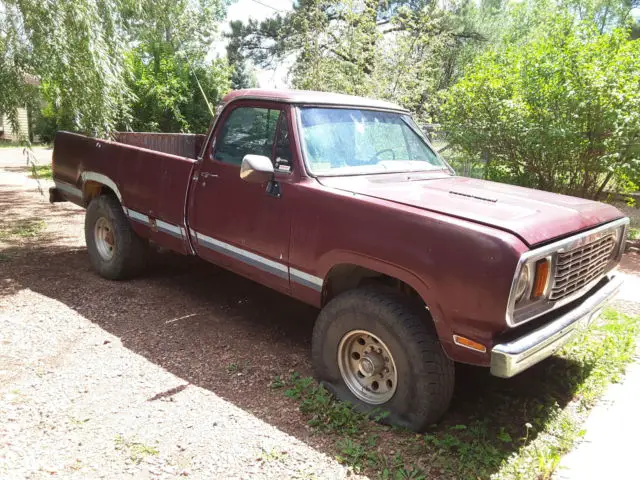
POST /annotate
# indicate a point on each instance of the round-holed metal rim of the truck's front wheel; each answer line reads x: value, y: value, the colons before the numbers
x: 367, y: 367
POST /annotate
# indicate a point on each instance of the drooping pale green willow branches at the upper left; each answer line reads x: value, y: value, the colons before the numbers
x: 75, y: 48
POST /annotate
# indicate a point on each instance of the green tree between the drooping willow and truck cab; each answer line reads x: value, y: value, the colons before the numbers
x: 172, y: 39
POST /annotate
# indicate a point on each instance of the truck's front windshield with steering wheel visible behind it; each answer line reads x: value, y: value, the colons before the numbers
x: 338, y: 141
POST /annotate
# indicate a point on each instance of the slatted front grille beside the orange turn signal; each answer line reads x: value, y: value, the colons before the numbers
x: 582, y: 265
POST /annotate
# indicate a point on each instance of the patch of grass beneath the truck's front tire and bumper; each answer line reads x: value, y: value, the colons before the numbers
x: 498, y: 429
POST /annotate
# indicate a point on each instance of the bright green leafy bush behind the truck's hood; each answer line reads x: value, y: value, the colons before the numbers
x: 560, y: 112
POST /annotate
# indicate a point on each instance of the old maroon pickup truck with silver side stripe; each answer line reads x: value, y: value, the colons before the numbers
x: 342, y: 203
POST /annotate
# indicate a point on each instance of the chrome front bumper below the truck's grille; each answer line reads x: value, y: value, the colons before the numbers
x: 510, y: 358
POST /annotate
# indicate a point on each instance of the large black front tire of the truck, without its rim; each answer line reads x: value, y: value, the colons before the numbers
x: 425, y: 374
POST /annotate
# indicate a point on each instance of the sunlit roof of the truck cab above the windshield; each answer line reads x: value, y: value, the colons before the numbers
x: 308, y: 97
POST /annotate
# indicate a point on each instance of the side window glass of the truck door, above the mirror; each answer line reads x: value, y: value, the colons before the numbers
x: 246, y: 130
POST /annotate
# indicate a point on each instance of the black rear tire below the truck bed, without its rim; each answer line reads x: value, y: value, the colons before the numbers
x: 130, y: 252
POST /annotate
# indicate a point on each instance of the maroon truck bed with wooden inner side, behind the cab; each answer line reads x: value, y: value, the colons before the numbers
x: 148, y: 172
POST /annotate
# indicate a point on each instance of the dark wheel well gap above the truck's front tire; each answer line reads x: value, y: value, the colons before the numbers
x: 349, y: 276
